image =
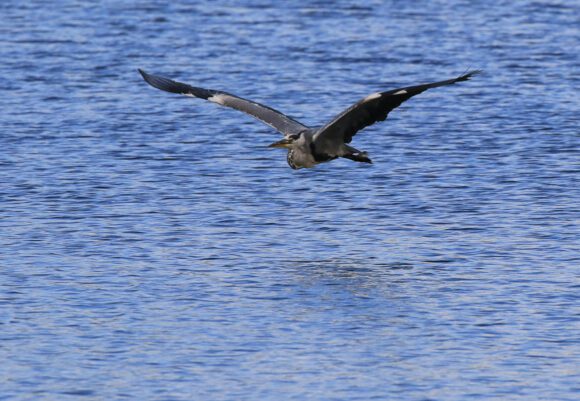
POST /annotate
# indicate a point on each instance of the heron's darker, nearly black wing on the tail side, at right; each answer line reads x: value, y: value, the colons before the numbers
x: 373, y: 108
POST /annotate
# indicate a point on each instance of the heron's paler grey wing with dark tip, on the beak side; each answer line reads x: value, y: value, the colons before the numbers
x: 267, y: 115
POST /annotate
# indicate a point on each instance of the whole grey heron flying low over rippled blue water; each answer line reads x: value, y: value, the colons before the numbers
x: 308, y: 146
